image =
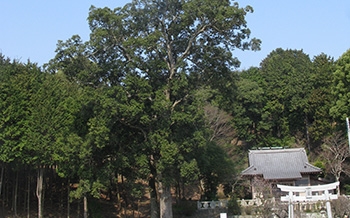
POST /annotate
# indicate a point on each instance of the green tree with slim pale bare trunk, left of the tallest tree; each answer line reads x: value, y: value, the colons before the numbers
x: 49, y: 128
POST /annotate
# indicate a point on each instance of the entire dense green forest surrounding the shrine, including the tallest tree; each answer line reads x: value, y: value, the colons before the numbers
x: 152, y: 109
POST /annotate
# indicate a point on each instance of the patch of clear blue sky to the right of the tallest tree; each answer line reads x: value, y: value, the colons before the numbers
x: 315, y: 26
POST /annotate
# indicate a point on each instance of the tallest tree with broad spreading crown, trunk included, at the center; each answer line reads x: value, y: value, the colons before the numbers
x: 153, y: 55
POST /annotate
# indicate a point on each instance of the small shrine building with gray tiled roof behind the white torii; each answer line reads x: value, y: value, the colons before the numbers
x: 269, y: 167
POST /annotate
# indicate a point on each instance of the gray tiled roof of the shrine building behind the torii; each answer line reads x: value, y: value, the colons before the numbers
x: 279, y: 164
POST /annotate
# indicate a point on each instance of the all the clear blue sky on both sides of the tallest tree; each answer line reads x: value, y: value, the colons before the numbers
x: 31, y: 29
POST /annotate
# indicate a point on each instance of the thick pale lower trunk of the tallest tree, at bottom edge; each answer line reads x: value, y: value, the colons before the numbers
x: 165, y: 201
